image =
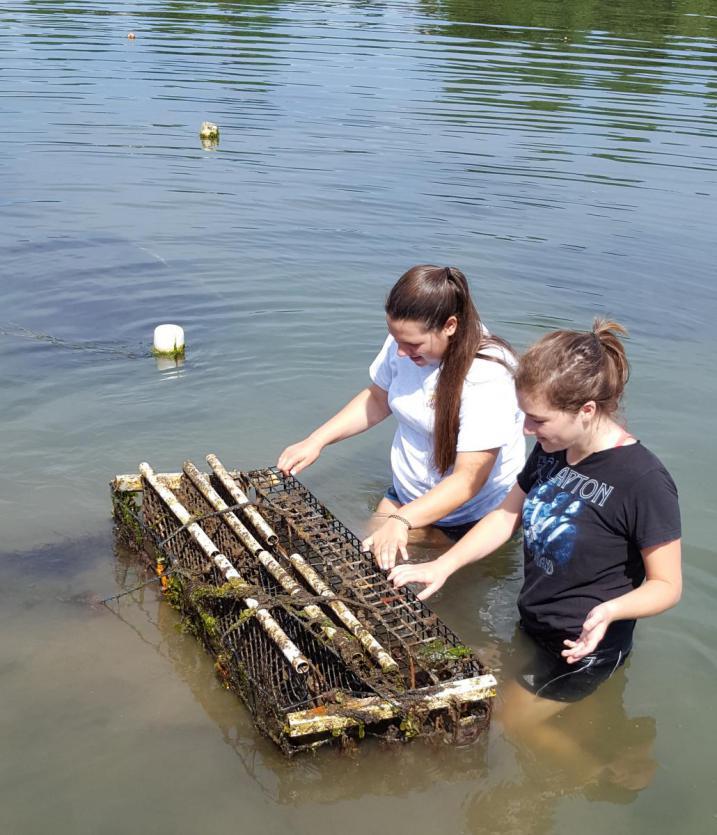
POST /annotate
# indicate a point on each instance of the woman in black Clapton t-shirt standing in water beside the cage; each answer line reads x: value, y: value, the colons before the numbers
x: 600, y: 520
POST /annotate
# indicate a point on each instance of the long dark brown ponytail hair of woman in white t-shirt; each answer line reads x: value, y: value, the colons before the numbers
x: 430, y: 295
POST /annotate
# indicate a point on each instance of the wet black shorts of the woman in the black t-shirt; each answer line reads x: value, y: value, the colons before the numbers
x: 549, y: 676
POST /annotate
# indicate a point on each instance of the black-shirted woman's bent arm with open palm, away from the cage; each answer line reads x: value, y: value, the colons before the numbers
x: 661, y: 590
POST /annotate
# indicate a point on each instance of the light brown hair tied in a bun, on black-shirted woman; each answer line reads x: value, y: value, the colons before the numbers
x: 570, y: 368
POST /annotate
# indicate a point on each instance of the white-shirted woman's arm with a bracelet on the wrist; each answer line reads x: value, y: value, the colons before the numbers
x: 470, y: 473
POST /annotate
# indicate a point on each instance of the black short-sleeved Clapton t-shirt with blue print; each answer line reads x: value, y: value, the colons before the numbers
x: 583, y: 529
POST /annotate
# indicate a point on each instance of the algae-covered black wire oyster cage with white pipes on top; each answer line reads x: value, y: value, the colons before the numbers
x: 301, y: 623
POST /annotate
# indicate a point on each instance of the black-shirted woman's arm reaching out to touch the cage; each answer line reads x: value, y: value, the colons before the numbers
x: 490, y: 533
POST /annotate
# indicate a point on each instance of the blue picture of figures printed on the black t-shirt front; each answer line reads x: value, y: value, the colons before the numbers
x: 549, y: 515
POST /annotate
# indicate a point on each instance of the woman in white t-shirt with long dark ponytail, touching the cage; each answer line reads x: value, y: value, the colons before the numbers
x: 459, y: 443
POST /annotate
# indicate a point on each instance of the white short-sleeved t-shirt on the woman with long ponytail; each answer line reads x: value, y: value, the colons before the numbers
x: 489, y: 418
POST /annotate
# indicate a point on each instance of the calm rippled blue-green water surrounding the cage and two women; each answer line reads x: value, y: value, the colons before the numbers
x: 561, y: 153
